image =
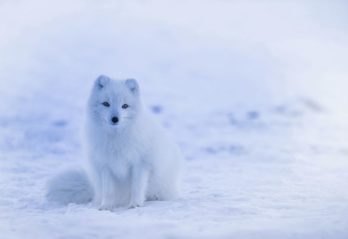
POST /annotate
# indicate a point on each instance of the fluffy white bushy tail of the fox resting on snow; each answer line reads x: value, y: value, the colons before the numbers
x: 70, y: 187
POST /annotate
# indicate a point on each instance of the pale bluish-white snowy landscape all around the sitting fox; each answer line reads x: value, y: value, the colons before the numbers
x: 254, y: 92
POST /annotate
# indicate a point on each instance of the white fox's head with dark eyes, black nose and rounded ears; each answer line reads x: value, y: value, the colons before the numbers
x: 114, y: 103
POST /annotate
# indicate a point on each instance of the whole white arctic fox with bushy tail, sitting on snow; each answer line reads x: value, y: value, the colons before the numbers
x: 130, y: 159
